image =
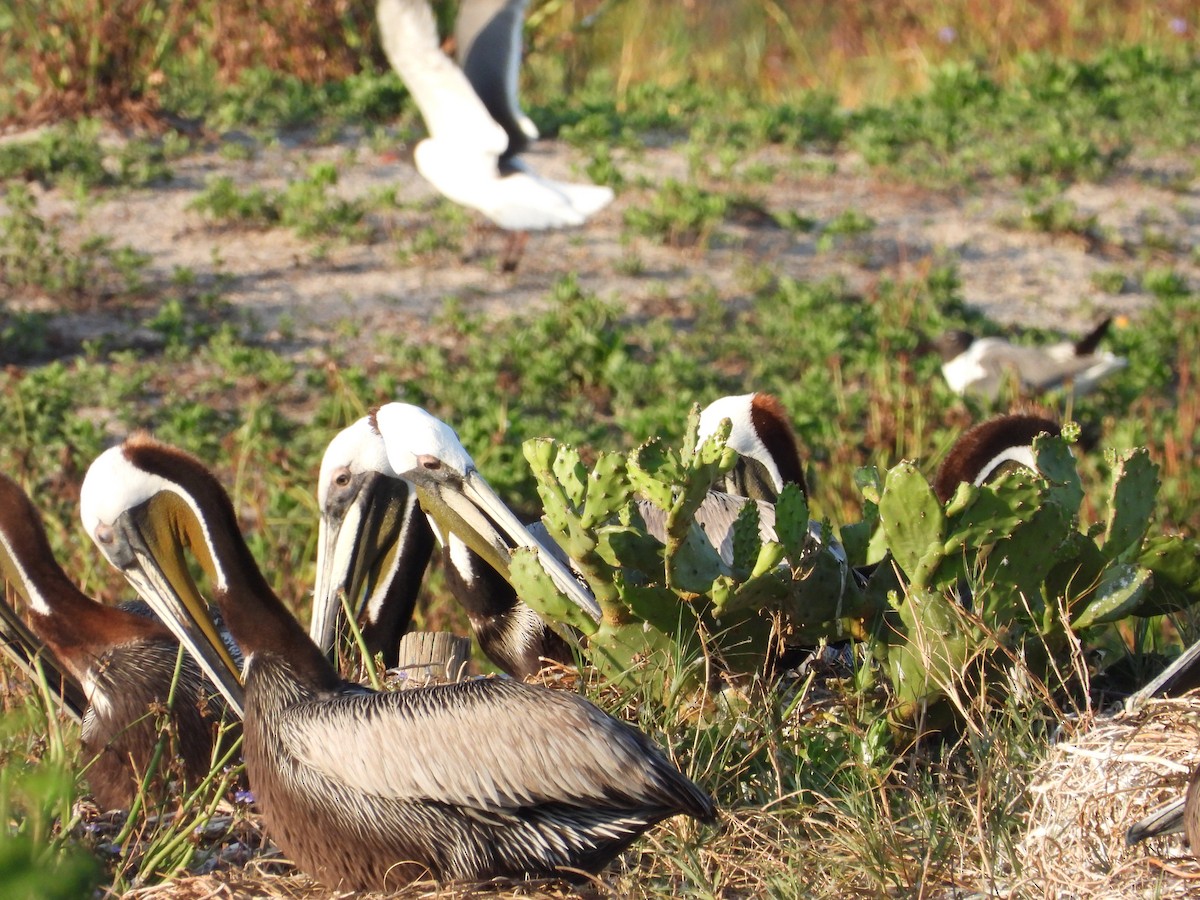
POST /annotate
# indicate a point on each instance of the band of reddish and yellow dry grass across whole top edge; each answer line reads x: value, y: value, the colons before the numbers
x: 86, y: 58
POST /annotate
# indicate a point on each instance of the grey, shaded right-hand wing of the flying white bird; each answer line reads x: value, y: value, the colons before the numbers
x: 488, y: 38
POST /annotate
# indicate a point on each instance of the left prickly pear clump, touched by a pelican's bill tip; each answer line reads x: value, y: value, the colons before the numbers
x: 676, y: 605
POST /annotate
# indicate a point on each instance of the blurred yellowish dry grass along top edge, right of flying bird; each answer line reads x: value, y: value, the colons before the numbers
x: 862, y: 51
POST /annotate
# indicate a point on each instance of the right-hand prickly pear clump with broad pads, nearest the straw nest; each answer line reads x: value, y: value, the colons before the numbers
x: 1005, y: 572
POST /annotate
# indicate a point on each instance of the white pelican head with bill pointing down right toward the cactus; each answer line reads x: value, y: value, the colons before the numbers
x: 457, y: 499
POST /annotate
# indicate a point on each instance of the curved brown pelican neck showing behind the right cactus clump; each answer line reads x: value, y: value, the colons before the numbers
x: 991, y: 449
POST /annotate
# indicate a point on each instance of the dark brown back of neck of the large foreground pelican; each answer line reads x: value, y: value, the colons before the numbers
x: 266, y: 626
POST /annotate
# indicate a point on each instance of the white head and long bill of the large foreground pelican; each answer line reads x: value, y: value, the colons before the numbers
x: 142, y: 521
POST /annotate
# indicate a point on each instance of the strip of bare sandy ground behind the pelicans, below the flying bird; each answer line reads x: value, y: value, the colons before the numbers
x: 296, y: 290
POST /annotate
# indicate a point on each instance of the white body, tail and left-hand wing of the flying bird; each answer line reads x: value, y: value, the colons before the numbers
x: 463, y: 157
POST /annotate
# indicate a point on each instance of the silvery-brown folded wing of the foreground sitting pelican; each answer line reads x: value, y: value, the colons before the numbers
x: 491, y: 746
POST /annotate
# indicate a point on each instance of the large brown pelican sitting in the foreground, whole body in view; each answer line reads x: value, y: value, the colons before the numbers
x: 369, y: 791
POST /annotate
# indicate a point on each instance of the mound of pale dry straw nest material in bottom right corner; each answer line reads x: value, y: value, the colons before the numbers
x: 1094, y: 787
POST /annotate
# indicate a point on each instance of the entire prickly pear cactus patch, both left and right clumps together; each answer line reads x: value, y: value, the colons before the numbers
x: 1003, y: 571
